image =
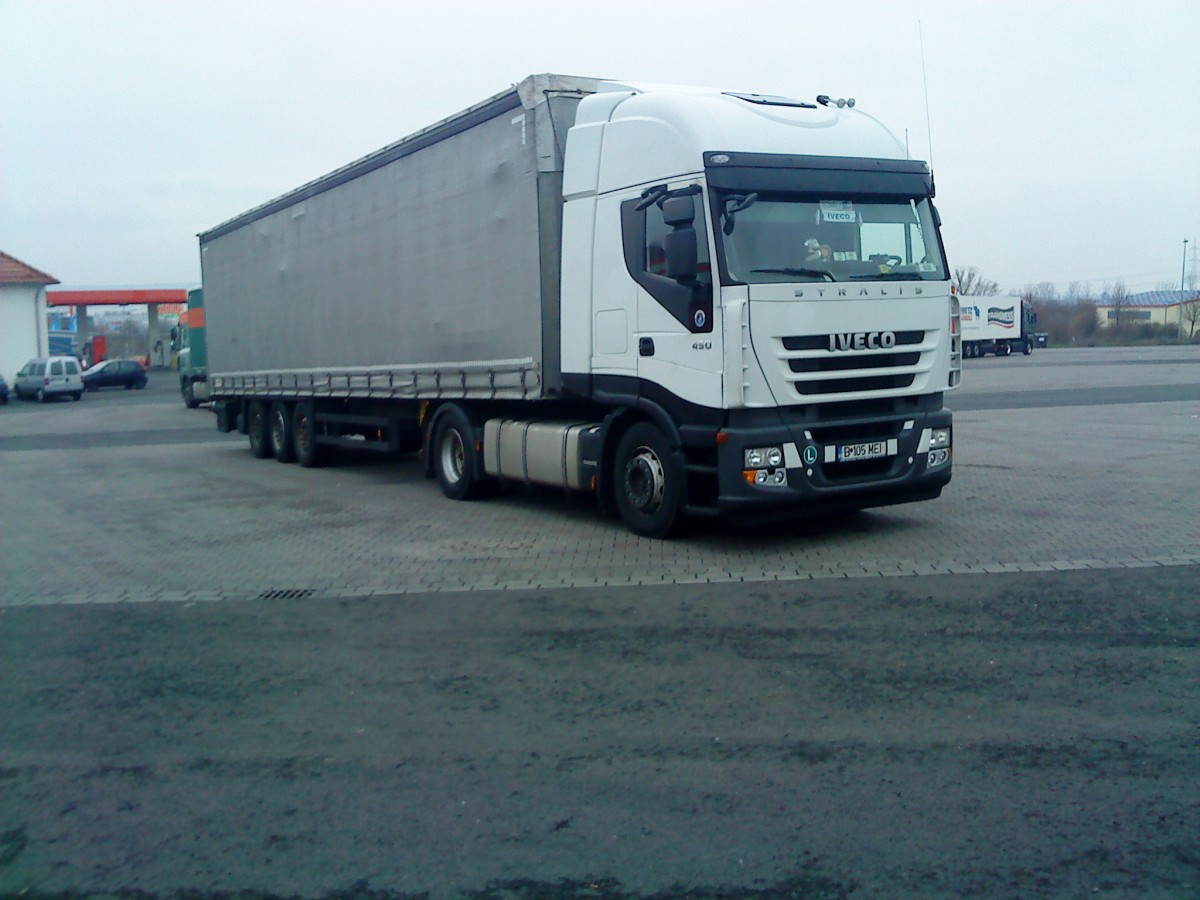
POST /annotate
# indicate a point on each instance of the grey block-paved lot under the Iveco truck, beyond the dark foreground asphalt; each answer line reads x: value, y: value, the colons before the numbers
x: 189, y: 517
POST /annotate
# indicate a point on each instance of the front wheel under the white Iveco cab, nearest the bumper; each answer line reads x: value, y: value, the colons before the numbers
x: 647, y: 482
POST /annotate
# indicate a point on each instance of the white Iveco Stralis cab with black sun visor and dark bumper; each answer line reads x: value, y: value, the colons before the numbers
x: 767, y: 285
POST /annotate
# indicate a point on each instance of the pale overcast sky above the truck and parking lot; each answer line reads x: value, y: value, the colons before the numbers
x: 1066, y: 137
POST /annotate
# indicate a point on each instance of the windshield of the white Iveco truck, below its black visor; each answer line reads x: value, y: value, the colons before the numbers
x: 788, y: 238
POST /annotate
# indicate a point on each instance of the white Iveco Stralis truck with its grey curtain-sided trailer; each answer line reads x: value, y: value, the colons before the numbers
x: 685, y: 302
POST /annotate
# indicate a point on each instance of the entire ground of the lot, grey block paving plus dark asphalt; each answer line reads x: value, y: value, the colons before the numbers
x: 873, y: 707
